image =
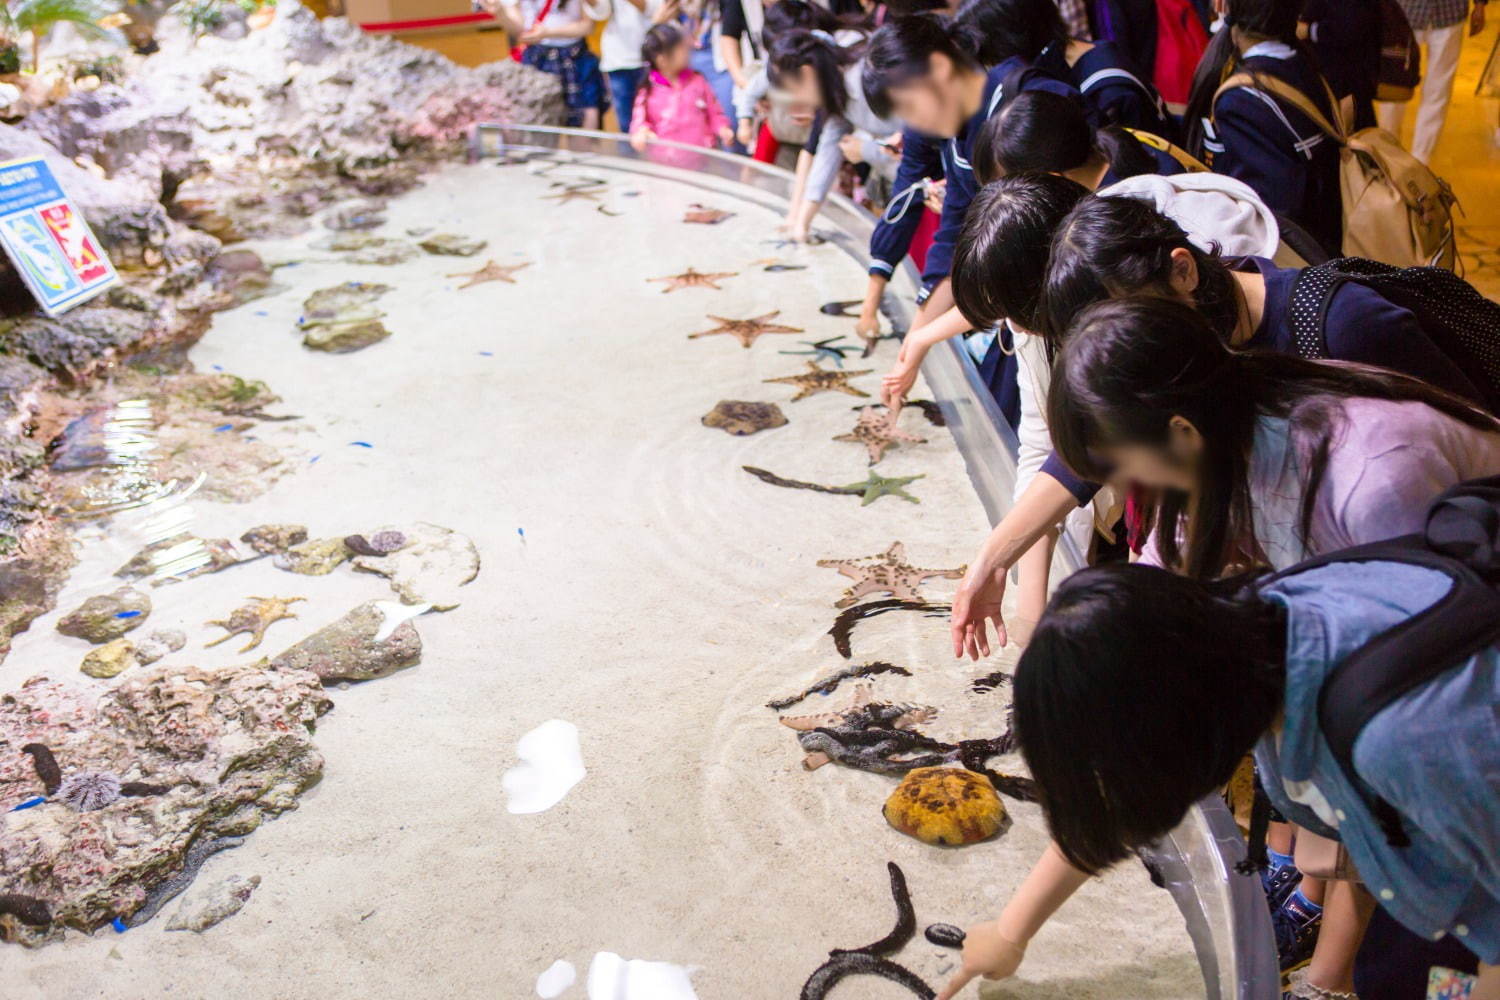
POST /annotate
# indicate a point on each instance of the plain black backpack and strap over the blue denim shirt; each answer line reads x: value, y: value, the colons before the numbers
x: 1462, y: 540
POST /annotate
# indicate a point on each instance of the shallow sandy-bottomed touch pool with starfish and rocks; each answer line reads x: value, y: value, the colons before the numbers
x: 545, y: 400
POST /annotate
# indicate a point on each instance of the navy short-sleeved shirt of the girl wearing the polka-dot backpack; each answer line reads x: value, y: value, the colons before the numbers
x: 1361, y: 326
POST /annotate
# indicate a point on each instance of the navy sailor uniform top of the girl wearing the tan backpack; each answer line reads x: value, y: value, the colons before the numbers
x: 1276, y: 149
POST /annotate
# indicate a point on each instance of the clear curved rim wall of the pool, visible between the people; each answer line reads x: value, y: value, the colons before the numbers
x: 1226, y: 912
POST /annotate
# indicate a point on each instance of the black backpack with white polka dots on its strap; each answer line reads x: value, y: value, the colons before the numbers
x: 1462, y: 323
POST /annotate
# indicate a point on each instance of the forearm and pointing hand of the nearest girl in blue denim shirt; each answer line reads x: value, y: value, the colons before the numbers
x: 995, y: 950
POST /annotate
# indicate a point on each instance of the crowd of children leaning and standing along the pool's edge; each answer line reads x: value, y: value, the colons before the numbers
x: 1139, y: 215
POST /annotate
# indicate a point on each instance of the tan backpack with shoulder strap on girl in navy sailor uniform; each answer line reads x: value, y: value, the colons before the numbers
x: 1396, y: 209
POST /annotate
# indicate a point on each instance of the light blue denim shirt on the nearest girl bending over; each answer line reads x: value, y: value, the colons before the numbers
x: 1433, y: 755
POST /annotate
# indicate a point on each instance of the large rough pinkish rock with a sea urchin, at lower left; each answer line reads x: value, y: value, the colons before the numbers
x: 230, y: 746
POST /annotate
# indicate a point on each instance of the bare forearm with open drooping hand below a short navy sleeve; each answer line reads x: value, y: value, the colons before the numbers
x: 979, y: 600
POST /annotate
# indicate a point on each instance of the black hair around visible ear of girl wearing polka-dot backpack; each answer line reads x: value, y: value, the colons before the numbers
x: 1123, y: 247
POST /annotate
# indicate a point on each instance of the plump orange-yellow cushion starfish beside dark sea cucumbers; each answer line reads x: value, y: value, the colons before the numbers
x: 949, y: 807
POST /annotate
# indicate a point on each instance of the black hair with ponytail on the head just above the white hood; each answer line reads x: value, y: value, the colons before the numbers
x: 1048, y: 133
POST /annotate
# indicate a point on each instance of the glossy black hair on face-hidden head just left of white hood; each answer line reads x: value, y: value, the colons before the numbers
x: 1001, y: 257
